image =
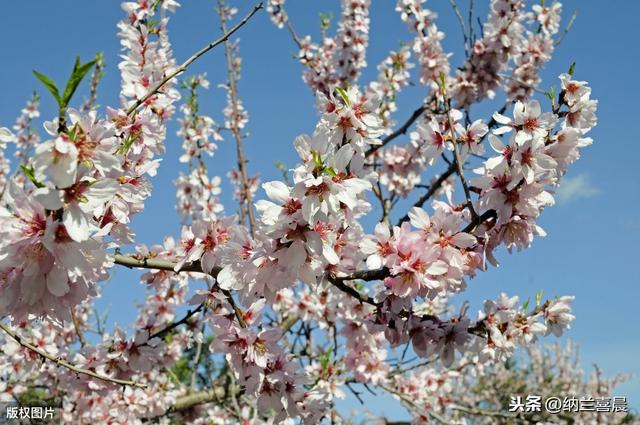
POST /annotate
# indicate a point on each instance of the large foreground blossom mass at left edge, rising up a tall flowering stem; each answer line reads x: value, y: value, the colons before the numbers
x: 89, y: 180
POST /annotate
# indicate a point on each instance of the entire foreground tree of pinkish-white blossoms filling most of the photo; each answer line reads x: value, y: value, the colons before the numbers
x: 316, y: 324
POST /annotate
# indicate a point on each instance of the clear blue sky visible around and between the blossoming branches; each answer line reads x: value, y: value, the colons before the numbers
x: 591, y: 247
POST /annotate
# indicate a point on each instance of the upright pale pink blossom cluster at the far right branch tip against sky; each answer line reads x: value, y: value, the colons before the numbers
x: 515, y: 183
